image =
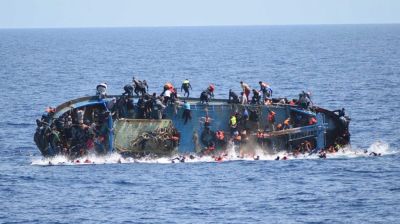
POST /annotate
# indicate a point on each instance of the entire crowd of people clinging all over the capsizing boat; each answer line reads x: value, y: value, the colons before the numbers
x: 78, y: 132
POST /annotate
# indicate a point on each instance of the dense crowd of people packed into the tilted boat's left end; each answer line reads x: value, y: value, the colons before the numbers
x: 75, y: 133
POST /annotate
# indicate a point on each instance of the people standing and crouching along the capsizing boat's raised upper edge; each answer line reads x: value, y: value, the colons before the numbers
x: 152, y: 106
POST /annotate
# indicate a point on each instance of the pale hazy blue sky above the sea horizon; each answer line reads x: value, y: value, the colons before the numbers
x: 117, y: 13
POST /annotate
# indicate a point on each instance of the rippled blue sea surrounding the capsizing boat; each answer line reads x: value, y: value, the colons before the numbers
x: 351, y: 66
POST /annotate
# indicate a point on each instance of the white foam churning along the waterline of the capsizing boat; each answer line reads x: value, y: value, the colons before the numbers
x: 230, y: 154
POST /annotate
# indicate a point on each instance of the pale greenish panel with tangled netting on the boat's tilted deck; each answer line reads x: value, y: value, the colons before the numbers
x: 145, y: 136
